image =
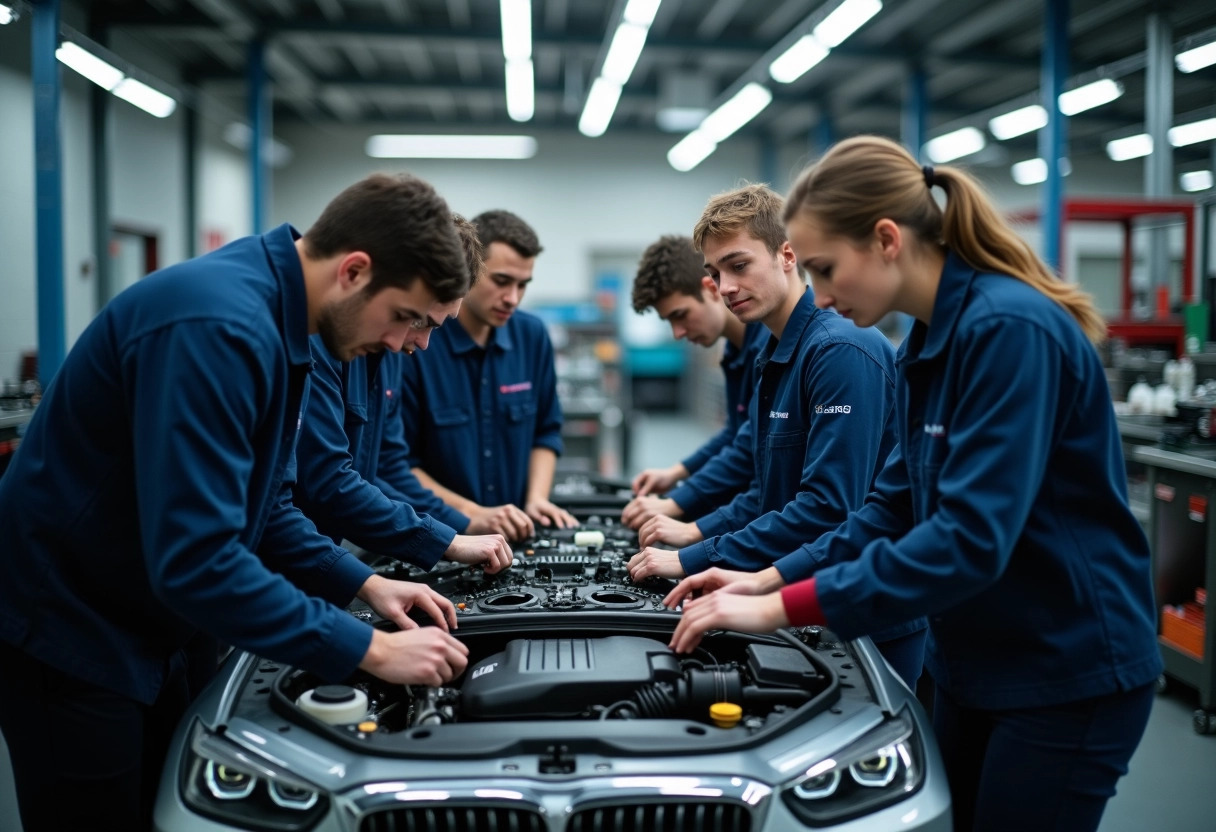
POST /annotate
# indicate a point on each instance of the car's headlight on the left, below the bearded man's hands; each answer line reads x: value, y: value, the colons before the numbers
x: 241, y: 794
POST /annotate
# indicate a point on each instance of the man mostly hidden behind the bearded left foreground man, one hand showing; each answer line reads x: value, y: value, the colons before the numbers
x: 353, y: 477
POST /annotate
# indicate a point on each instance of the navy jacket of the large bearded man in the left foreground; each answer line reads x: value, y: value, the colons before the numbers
x: 153, y: 470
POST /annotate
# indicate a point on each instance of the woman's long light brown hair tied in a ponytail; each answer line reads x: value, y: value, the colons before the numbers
x: 865, y: 179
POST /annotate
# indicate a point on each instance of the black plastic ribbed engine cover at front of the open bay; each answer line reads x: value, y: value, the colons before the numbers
x: 560, y: 678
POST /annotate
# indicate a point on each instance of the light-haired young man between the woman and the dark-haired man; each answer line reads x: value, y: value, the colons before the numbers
x: 821, y: 419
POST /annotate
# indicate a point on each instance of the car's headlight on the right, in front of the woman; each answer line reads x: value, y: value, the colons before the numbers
x: 885, y: 767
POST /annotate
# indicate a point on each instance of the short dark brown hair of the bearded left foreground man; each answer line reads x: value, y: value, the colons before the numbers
x: 403, y: 226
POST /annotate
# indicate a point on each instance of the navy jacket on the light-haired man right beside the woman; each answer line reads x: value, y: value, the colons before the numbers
x: 821, y: 430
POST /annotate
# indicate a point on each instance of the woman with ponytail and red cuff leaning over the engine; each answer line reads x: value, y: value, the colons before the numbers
x: 1003, y: 515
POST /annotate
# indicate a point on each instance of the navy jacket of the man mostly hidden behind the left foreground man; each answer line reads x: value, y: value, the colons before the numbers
x: 339, y: 462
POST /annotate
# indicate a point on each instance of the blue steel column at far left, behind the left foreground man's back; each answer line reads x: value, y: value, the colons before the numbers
x: 48, y: 188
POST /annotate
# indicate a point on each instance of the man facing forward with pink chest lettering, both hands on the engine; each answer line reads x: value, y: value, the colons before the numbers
x: 480, y: 409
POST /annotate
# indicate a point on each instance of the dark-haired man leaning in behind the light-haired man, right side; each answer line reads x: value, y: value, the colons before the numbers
x: 672, y: 280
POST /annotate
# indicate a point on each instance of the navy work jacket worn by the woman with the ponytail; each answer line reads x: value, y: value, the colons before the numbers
x: 1004, y: 514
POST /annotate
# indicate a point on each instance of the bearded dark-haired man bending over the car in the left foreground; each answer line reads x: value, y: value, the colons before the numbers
x: 147, y: 505
